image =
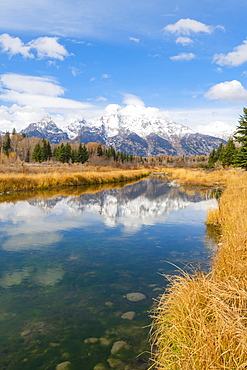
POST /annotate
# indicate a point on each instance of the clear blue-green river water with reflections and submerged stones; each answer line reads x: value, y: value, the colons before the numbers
x: 68, y: 262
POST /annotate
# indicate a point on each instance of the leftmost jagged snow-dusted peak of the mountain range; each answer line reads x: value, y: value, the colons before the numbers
x: 47, y: 129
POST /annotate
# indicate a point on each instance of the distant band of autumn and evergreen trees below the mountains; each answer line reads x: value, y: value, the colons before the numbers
x: 16, y: 147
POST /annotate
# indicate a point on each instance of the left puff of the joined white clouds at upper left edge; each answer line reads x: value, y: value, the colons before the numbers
x: 14, y: 46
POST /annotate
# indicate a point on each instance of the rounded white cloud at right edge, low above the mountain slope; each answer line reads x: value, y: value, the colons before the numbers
x: 229, y: 91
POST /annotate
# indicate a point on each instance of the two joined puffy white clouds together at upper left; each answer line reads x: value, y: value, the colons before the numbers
x: 45, y: 47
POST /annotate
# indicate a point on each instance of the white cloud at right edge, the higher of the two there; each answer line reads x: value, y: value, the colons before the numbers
x: 235, y: 58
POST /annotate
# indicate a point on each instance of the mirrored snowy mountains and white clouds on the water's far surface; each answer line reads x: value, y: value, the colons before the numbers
x: 36, y: 223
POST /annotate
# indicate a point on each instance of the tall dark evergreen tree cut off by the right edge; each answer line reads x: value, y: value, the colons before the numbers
x: 240, y: 158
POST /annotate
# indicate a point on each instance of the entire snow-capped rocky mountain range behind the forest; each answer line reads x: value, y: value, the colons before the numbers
x: 138, y: 134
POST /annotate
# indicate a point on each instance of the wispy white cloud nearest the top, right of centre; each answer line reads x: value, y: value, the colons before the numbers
x: 189, y: 26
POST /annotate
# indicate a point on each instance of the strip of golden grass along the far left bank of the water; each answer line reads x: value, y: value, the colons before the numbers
x: 43, y: 180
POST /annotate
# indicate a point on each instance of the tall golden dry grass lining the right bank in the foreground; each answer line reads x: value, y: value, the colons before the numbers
x: 201, y: 322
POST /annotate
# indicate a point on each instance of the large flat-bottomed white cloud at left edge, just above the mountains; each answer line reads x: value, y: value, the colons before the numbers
x: 39, y: 92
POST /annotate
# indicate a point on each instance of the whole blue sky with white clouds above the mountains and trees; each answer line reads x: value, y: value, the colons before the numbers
x: 188, y: 59
